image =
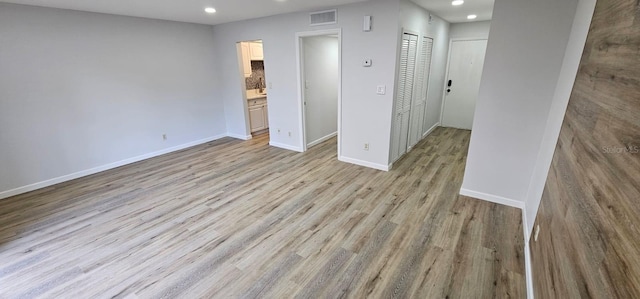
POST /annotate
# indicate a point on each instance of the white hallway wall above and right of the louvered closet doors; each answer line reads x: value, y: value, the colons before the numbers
x: 415, y: 18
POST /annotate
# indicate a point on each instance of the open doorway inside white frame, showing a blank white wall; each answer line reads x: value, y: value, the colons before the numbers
x: 319, y: 86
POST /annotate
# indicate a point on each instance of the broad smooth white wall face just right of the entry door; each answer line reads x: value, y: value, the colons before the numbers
x: 521, y: 71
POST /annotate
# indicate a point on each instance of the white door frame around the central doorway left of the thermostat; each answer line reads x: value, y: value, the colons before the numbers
x: 300, y: 67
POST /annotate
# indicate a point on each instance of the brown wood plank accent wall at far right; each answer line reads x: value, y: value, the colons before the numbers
x: 589, y: 241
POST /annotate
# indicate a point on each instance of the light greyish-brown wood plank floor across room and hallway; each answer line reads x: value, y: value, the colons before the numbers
x: 241, y: 219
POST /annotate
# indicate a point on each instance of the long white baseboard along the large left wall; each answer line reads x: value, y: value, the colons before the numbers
x: 79, y: 174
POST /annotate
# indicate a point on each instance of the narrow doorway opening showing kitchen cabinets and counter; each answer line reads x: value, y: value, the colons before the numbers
x: 254, y: 88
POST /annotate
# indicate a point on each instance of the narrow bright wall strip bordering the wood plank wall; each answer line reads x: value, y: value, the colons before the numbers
x: 573, y: 54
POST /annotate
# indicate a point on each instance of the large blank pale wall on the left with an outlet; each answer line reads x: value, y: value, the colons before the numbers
x: 79, y: 91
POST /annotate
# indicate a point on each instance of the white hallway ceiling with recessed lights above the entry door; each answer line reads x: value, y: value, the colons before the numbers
x: 458, y: 14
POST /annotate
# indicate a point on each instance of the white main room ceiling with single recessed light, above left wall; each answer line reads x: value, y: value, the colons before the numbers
x: 191, y: 11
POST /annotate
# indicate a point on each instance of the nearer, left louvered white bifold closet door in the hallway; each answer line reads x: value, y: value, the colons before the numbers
x: 406, y: 75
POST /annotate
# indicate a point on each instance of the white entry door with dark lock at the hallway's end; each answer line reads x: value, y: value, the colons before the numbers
x: 465, y: 70
